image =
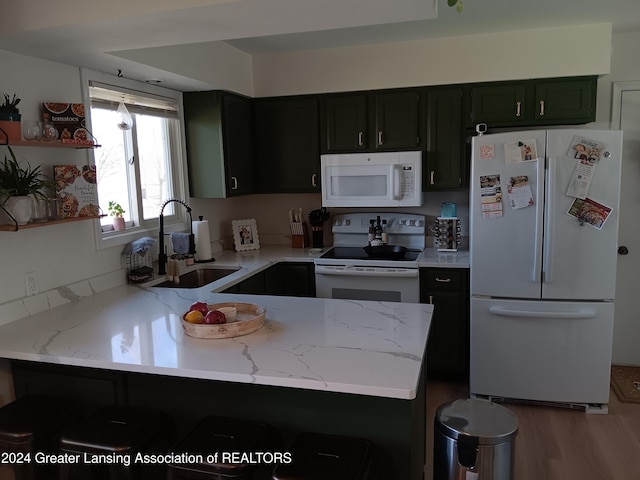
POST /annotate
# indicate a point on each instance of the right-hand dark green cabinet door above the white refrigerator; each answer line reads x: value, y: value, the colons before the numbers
x: 565, y: 101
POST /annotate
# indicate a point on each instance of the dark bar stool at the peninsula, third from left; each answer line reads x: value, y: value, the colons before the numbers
x: 219, y: 434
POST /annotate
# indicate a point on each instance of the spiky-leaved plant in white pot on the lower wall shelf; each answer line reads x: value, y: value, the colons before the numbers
x: 19, y: 186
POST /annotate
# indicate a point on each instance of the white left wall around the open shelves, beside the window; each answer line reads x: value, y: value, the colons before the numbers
x: 59, y: 254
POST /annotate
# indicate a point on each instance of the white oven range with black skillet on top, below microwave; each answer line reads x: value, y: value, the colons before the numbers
x: 346, y: 271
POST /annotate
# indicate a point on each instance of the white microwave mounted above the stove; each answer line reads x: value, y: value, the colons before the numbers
x: 389, y: 179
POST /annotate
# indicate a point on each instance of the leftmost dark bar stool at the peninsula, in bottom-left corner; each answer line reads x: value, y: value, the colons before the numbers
x: 34, y: 423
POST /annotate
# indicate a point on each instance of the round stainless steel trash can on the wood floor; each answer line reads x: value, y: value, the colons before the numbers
x: 474, y: 440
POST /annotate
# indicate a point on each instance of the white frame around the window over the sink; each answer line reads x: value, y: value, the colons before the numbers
x: 176, y: 222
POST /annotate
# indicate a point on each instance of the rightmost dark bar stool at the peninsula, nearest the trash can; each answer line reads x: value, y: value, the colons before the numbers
x: 319, y: 457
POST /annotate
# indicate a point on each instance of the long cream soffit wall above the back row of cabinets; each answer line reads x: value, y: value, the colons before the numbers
x: 552, y: 52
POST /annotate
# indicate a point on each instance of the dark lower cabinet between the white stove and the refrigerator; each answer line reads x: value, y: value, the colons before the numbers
x: 448, y: 345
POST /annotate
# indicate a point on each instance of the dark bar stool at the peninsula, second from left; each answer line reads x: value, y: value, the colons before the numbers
x: 116, y: 434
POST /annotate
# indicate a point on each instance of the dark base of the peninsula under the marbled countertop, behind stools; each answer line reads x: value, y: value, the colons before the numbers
x: 397, y: 427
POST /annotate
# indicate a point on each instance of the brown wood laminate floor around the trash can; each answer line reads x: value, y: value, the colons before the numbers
x: 561, y: 444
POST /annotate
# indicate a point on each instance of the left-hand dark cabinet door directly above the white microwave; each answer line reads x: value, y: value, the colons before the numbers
x: 345, y: 123
